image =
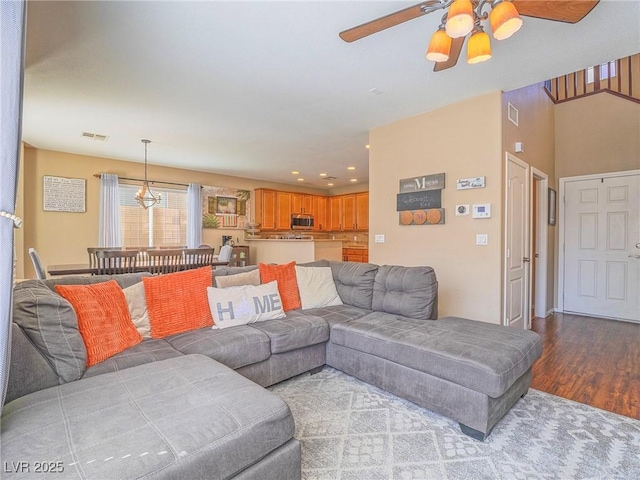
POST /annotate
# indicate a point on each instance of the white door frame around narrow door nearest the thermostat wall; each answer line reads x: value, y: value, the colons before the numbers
x: 527, y: 243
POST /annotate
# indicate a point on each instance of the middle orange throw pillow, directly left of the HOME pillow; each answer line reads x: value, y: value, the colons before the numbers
x: 177, y: 302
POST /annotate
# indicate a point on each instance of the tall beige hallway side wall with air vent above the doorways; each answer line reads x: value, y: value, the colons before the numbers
x: 536, y: 129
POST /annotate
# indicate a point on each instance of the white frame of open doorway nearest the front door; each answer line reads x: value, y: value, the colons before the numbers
x: 541, y: 180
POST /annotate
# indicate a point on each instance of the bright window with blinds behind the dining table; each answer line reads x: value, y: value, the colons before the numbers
x: 164, y: 224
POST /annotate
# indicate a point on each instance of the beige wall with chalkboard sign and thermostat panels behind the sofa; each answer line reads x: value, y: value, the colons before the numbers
x: 462, y: 140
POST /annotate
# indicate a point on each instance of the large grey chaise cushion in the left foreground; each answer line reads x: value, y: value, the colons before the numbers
x: 186, y: 417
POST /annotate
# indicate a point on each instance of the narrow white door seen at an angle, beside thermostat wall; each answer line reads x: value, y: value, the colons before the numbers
x: 517, y: 244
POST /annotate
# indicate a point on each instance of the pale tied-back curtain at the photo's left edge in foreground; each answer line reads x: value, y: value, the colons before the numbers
x: 12, y: 25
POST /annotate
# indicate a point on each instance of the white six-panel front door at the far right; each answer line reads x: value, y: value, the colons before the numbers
x: 602, y: 247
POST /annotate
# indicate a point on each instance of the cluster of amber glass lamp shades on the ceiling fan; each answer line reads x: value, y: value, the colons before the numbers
x: 464, y: 17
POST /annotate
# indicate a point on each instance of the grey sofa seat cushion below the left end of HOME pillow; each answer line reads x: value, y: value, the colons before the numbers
x: 235, y: 347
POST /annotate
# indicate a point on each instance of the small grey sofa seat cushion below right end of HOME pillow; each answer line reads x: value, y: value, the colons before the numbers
x: 296, y: 330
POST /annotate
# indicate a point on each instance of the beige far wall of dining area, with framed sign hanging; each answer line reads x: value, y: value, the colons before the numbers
x: 62, y: 237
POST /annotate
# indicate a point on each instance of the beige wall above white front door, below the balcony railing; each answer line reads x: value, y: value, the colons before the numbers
x: 597, y: 134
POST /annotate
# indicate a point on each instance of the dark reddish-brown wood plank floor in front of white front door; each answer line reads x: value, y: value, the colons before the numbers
x: 590, y: 360
